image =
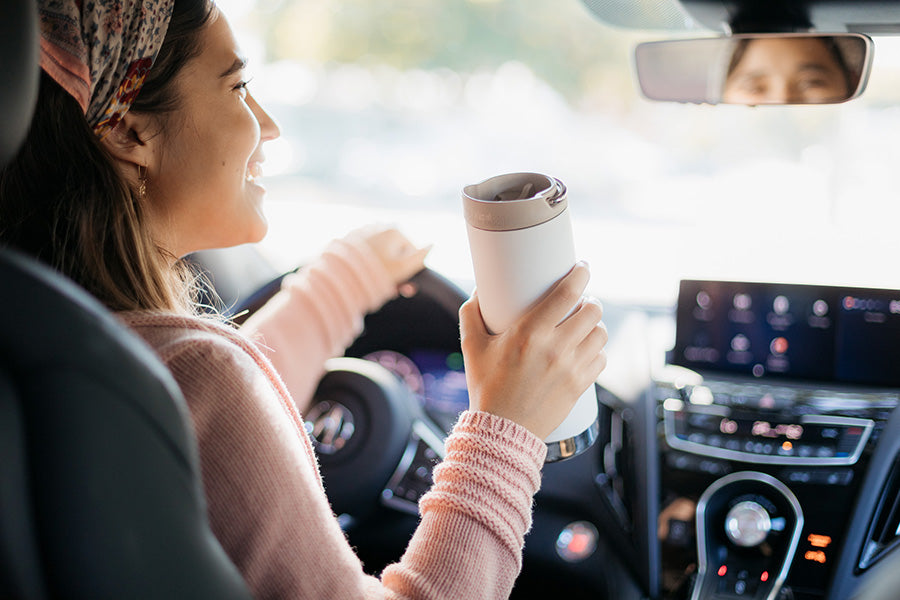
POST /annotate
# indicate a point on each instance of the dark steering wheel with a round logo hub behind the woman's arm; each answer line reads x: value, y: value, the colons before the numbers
x: 376, y: 445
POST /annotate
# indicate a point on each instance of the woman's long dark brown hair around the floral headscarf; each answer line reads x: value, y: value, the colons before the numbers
x: 63, y: 200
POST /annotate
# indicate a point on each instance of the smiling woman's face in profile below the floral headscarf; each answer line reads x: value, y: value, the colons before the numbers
x: 202, y: 184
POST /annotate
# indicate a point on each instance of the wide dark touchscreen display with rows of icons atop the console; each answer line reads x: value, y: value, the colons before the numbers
x: 822, y: 333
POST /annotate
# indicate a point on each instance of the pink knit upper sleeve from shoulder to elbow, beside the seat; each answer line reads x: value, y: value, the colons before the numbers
x: 266, y: 504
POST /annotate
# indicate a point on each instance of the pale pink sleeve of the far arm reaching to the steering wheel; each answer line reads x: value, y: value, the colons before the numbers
x: 318, y: 312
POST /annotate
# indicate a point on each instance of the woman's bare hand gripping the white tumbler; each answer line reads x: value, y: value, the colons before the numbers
x: 534, y: 372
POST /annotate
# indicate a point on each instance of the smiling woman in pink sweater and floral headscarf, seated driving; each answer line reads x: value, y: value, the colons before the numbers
x: 146, y: 145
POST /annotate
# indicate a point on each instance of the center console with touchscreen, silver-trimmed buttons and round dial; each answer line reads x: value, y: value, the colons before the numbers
x: 772, y: 401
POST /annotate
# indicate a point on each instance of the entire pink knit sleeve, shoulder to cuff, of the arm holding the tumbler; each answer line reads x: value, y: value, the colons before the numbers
x: 267, y: 506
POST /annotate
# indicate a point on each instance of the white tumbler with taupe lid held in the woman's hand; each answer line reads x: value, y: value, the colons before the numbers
x: 520, y: 236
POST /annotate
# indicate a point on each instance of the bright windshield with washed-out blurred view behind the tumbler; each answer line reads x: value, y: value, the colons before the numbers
x: 388, y: 109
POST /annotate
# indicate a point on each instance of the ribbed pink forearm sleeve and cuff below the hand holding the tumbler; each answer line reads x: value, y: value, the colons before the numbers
x: 469, y: 541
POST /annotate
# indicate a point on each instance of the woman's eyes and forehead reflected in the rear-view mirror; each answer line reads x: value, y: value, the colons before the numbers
x: 786, y: 70
